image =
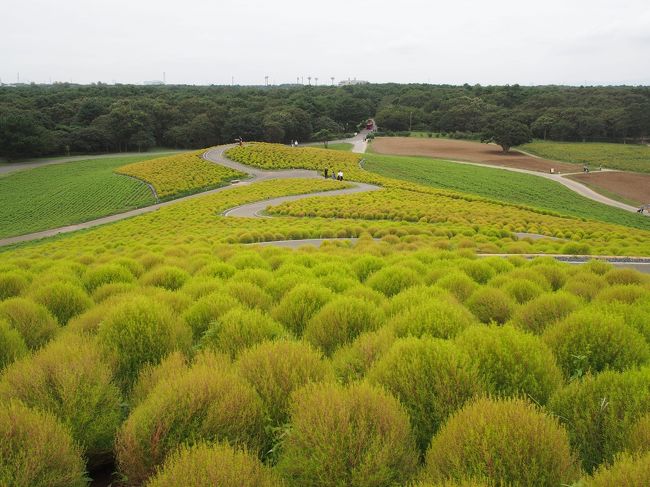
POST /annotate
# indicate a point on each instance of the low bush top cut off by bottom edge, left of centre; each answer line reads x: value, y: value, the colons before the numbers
x: 208, y: 465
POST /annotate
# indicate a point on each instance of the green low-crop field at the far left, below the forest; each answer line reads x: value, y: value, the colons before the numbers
x: 63, y: 194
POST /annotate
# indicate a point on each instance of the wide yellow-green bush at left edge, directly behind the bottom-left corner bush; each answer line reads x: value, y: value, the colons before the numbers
x: 70, y: 379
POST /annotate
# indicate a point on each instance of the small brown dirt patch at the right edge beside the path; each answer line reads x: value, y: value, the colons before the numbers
x: 631, y: 186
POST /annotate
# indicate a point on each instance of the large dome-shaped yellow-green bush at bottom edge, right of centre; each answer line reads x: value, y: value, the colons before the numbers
x: 509, y: 441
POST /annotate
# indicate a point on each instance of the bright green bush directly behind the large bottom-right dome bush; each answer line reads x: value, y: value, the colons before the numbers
x: 512, y: 362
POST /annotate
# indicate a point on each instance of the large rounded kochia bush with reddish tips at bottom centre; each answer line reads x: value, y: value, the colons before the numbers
x: 355, y: 436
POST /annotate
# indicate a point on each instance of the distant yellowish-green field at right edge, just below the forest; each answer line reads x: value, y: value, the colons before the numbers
x: 612, y: 156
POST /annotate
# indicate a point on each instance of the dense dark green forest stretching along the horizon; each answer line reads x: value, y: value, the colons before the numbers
x: 62, y: 118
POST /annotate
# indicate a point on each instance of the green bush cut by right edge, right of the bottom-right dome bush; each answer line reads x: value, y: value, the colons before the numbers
x: 600, y: 411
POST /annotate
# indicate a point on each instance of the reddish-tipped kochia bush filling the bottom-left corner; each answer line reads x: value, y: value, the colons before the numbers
x: 36, y: 450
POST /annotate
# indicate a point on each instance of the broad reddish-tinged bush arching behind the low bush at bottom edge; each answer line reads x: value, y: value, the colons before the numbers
x: 203, y: 404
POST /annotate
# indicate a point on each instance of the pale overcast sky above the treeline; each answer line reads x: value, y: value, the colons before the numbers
x: 574, y: 42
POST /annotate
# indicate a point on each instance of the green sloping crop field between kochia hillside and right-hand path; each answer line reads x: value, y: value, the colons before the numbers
x: 500, y: 185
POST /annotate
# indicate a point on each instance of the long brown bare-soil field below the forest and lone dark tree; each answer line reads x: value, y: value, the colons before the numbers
x: 462, y: 150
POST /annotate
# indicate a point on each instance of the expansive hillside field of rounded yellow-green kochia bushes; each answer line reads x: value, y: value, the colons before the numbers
x: 162, y: 345
